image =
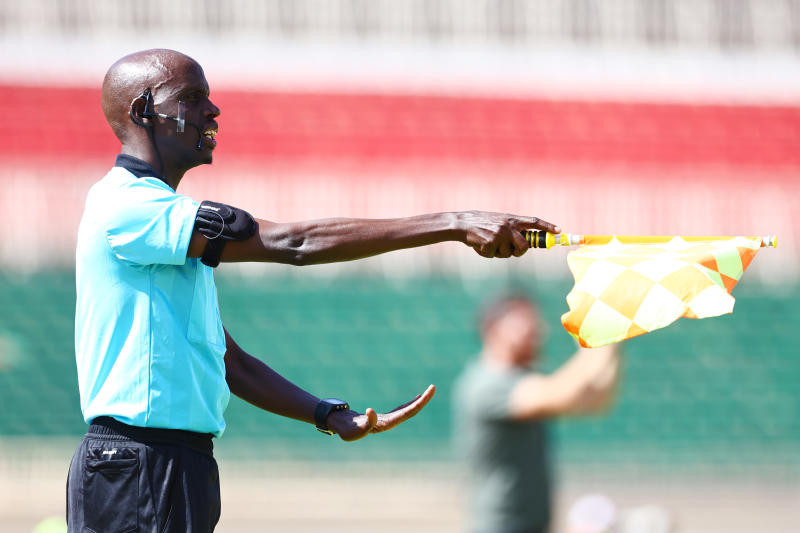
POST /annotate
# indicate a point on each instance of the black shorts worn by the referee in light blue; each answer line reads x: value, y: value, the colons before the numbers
x: 124, y: 479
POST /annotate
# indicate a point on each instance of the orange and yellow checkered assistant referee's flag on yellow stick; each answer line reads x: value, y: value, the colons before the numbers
x: 625, y: 290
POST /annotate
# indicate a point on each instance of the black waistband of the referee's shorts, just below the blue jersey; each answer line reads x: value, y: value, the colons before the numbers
x: 107, y: 427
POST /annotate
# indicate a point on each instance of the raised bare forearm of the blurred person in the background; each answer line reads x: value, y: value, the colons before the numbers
x: 585, y: 384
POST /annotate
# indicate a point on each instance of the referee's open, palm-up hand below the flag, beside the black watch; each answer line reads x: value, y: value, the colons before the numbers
x: 351, y: 425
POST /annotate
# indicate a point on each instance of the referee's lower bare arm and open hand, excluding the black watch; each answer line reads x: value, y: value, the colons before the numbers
x: 255, y: 382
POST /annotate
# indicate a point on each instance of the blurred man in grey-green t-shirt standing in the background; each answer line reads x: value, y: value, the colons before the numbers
x: 500, y: 406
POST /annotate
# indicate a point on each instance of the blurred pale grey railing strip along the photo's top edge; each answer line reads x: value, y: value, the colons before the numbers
x: 725, y: 24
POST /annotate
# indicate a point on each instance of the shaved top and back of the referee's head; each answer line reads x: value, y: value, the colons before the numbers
x: 156, y: 69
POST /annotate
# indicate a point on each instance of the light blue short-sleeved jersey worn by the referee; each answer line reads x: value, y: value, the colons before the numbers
x: 149, y: 341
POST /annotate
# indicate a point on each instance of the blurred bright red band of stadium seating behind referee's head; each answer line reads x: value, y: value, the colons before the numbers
x: 330, y: 127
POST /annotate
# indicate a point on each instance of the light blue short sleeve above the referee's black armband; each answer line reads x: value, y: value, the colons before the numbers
x: 151, y: 225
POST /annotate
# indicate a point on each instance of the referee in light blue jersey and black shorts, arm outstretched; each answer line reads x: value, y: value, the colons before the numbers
x: 155, y: 365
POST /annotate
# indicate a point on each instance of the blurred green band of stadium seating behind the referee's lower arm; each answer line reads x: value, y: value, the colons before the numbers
x: 716, y: 394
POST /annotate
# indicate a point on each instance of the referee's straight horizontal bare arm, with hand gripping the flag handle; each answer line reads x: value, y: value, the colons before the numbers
x: 345, y: 239
